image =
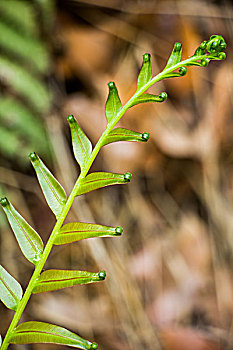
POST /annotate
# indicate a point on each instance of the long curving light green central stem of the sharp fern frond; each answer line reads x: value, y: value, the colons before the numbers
x: 72, y: 196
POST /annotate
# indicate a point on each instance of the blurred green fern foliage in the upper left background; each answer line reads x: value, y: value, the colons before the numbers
x: 24, y: 68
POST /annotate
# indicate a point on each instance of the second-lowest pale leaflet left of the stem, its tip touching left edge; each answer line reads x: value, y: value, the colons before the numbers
x: 28, y: 239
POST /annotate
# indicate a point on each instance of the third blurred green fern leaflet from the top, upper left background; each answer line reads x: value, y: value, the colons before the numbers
x: 24, y: 83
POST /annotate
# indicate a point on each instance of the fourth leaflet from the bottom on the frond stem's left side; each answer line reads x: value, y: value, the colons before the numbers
x: 82, y: 146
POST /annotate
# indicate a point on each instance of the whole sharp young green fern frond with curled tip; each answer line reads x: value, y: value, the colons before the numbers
x: 29, y: 240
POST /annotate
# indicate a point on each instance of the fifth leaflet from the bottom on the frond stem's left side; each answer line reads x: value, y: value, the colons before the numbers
x: 113, y: 104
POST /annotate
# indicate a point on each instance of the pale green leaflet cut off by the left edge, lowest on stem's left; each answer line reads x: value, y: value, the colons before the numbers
x: 10, y: 290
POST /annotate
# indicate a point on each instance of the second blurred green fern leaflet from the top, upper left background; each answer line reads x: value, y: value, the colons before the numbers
x: 30, y: 49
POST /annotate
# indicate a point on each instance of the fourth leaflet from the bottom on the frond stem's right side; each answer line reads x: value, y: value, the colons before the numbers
x: 97, y: 180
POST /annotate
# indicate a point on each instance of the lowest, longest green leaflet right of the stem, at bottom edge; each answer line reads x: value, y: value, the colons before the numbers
x: 40, y: 332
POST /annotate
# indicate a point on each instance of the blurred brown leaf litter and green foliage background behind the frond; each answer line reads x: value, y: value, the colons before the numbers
x: 169, y: 277
